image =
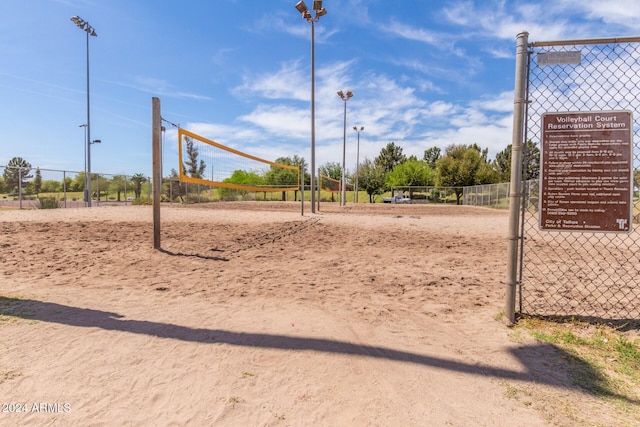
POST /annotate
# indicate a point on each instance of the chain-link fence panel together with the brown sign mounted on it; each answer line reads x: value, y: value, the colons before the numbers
x: 578, y: 94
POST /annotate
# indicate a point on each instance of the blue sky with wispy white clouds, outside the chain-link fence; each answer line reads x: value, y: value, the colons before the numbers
x: 423, y: 74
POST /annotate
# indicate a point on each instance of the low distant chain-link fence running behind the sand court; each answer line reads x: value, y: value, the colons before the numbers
x: 68, y: 187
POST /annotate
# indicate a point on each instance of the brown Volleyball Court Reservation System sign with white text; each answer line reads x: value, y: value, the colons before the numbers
x: 586, y: 176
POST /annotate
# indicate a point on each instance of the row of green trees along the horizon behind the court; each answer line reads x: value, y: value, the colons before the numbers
x: 458, y: 166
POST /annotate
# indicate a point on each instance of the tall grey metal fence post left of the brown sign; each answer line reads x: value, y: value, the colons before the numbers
x: 515, y: 193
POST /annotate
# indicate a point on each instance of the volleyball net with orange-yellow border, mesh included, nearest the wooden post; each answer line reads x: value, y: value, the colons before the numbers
x: 203, y: 161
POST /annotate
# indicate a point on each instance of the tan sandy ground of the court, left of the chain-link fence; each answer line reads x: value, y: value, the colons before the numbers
x: 255, y: 315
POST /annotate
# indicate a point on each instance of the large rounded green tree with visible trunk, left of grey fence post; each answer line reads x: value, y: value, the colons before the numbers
x: 458, y: 168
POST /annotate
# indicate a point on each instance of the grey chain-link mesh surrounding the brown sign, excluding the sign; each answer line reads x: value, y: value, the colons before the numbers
x: 595, y: 275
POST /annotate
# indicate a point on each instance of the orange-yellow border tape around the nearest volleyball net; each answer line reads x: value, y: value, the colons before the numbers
x: 192, y: 180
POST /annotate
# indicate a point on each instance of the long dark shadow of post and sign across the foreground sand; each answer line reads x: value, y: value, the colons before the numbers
x: 529, y: 356
